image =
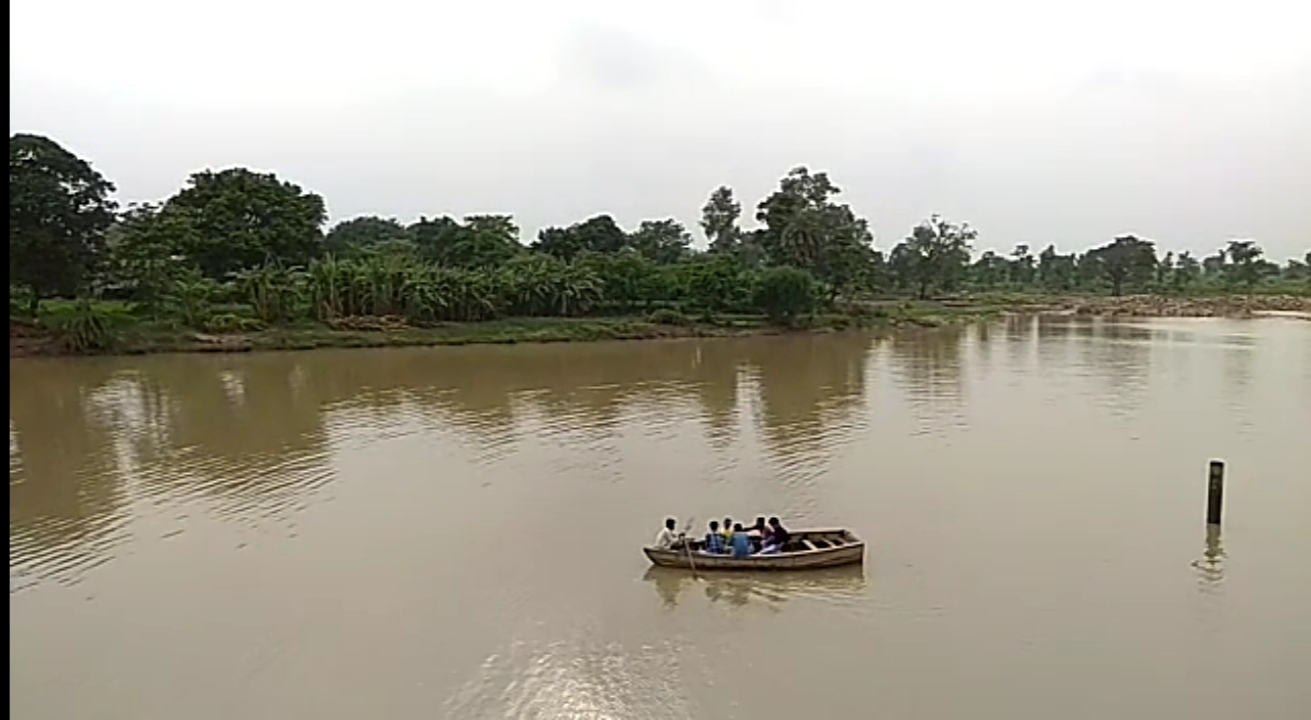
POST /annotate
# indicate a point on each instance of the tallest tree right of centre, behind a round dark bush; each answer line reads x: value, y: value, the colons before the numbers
x: 806, y: 229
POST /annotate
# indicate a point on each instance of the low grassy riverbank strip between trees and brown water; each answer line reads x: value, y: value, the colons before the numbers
x: 124, y: 334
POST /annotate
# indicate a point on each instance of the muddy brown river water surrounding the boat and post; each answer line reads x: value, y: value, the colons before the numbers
x: 456, y: 533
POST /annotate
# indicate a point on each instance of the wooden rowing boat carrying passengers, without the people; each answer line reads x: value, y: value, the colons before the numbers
x: 810, y: 550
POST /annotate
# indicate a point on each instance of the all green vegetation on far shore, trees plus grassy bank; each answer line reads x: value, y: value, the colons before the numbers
x: 242, y: 255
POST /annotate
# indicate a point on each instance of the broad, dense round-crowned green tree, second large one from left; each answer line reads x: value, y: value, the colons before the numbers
x: 245, y: 218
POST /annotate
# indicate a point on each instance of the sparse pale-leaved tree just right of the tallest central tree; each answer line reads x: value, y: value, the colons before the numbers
x: 934, y: 256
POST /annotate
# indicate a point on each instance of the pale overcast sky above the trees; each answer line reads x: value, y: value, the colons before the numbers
x: 1188, y: 123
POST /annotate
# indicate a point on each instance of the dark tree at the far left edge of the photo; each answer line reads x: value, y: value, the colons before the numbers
x: 60, y: 212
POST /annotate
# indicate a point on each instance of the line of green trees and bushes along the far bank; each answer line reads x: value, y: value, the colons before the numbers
x: 243, y: 237
